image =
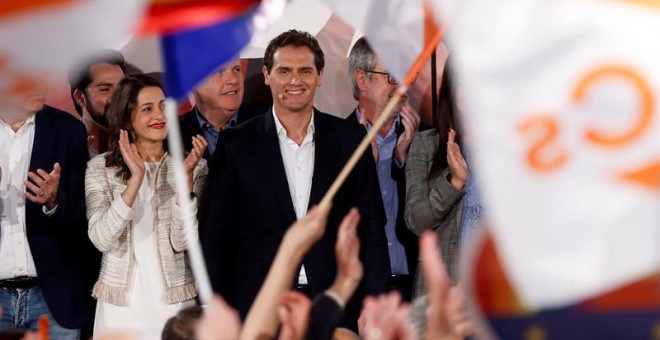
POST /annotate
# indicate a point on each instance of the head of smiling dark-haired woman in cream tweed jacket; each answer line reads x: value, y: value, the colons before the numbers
x: 137, y: 106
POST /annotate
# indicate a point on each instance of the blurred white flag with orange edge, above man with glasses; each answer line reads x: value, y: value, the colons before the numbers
x: 398, y: 30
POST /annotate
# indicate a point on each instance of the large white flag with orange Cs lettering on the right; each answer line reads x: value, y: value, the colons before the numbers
x: 562, y: 106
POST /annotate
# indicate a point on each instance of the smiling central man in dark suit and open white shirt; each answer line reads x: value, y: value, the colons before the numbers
x: 268, y: 171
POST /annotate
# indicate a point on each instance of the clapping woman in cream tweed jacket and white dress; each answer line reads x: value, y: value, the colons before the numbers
x: 135, y: 218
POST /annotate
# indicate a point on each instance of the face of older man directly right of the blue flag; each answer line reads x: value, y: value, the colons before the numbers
x: 221, y: 91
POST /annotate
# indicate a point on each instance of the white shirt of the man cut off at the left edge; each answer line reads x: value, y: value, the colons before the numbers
x: 16, y: 148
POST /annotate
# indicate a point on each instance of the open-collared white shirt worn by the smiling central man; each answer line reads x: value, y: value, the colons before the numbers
x: 299, y: 167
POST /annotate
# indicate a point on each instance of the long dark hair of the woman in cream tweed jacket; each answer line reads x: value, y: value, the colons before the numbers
x: 119, y: 113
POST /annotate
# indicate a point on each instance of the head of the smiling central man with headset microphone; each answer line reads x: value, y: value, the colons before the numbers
x: 293, y: 67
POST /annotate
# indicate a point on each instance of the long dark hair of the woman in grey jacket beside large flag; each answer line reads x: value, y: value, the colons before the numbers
x: 443, y: 120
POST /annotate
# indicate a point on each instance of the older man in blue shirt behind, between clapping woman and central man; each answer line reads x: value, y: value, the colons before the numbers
x: 217, y: 102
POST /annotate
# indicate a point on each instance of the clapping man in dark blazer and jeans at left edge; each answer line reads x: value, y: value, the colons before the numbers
x: 48, y: 264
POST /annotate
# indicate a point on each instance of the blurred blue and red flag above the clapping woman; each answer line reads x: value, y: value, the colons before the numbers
x: 198, y: 36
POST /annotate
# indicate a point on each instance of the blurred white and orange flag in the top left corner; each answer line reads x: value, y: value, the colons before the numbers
x: 39, y: 38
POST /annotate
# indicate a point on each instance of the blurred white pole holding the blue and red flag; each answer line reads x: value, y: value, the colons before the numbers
x: 194, y: 249
